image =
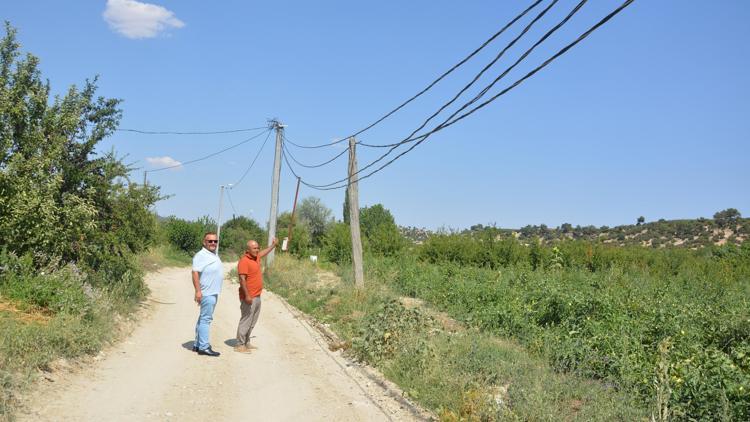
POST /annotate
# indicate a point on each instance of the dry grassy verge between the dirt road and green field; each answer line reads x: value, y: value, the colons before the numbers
x: 462, y: 375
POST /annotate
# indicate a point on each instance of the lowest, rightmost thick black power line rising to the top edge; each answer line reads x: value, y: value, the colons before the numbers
x: 424, y: 137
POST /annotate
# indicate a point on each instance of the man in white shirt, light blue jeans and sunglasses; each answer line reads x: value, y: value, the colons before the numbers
x: 207, y: 279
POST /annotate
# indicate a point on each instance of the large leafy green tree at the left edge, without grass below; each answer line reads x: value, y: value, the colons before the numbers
x: 61, y: 200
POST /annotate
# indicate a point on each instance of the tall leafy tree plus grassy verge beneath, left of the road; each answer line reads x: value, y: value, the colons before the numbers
x: 72, y: 221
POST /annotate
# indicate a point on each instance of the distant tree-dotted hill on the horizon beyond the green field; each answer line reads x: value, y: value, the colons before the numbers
x: 727, y: 226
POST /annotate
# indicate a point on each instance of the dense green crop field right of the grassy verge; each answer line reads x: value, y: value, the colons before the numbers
x: 617, y: 314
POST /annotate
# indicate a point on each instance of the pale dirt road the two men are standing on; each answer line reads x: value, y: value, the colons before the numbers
x: 153, y: 374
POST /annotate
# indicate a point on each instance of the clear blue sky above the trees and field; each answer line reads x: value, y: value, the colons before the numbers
x: 648, y: 116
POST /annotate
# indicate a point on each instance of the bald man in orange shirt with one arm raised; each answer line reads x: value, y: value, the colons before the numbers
x: 251, y: 285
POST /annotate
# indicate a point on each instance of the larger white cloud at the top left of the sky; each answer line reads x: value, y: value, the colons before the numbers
x: 135, y: 19
